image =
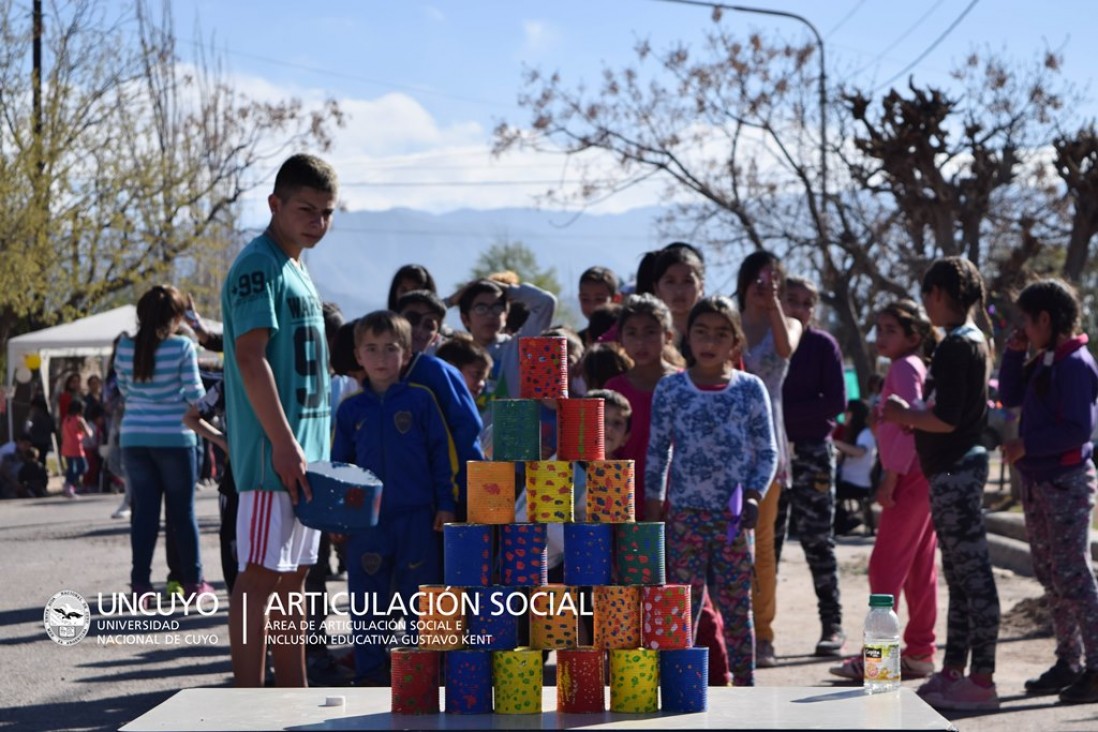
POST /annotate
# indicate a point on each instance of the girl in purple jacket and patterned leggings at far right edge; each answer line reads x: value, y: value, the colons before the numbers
x: 1058, y: 390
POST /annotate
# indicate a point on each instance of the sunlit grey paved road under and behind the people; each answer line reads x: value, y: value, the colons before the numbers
x: 53, y: 545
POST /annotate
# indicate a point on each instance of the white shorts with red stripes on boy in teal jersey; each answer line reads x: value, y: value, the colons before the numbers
x: 270, y: 535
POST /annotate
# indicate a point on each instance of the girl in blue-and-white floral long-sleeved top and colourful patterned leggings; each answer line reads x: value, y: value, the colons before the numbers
x: 712, y: 431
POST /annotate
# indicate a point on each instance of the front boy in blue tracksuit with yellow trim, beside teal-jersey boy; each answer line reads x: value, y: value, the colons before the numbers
x: 397, y: 431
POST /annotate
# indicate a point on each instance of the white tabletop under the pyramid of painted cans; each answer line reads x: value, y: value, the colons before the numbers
x: 759, y: 708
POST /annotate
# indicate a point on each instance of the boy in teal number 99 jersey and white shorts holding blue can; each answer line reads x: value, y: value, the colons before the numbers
x: 277, y: 395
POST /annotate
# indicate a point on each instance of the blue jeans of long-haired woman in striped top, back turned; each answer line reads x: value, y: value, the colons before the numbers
x: 167, y: 474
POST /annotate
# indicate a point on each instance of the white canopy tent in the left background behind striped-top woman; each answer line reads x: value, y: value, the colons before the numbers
x: 89, y: 336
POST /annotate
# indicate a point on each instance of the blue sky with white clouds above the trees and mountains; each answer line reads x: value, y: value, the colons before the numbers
x: 425, y: 83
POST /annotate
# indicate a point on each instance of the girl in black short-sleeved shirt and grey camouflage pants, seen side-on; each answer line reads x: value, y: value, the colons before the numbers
x: 948, y: 432
